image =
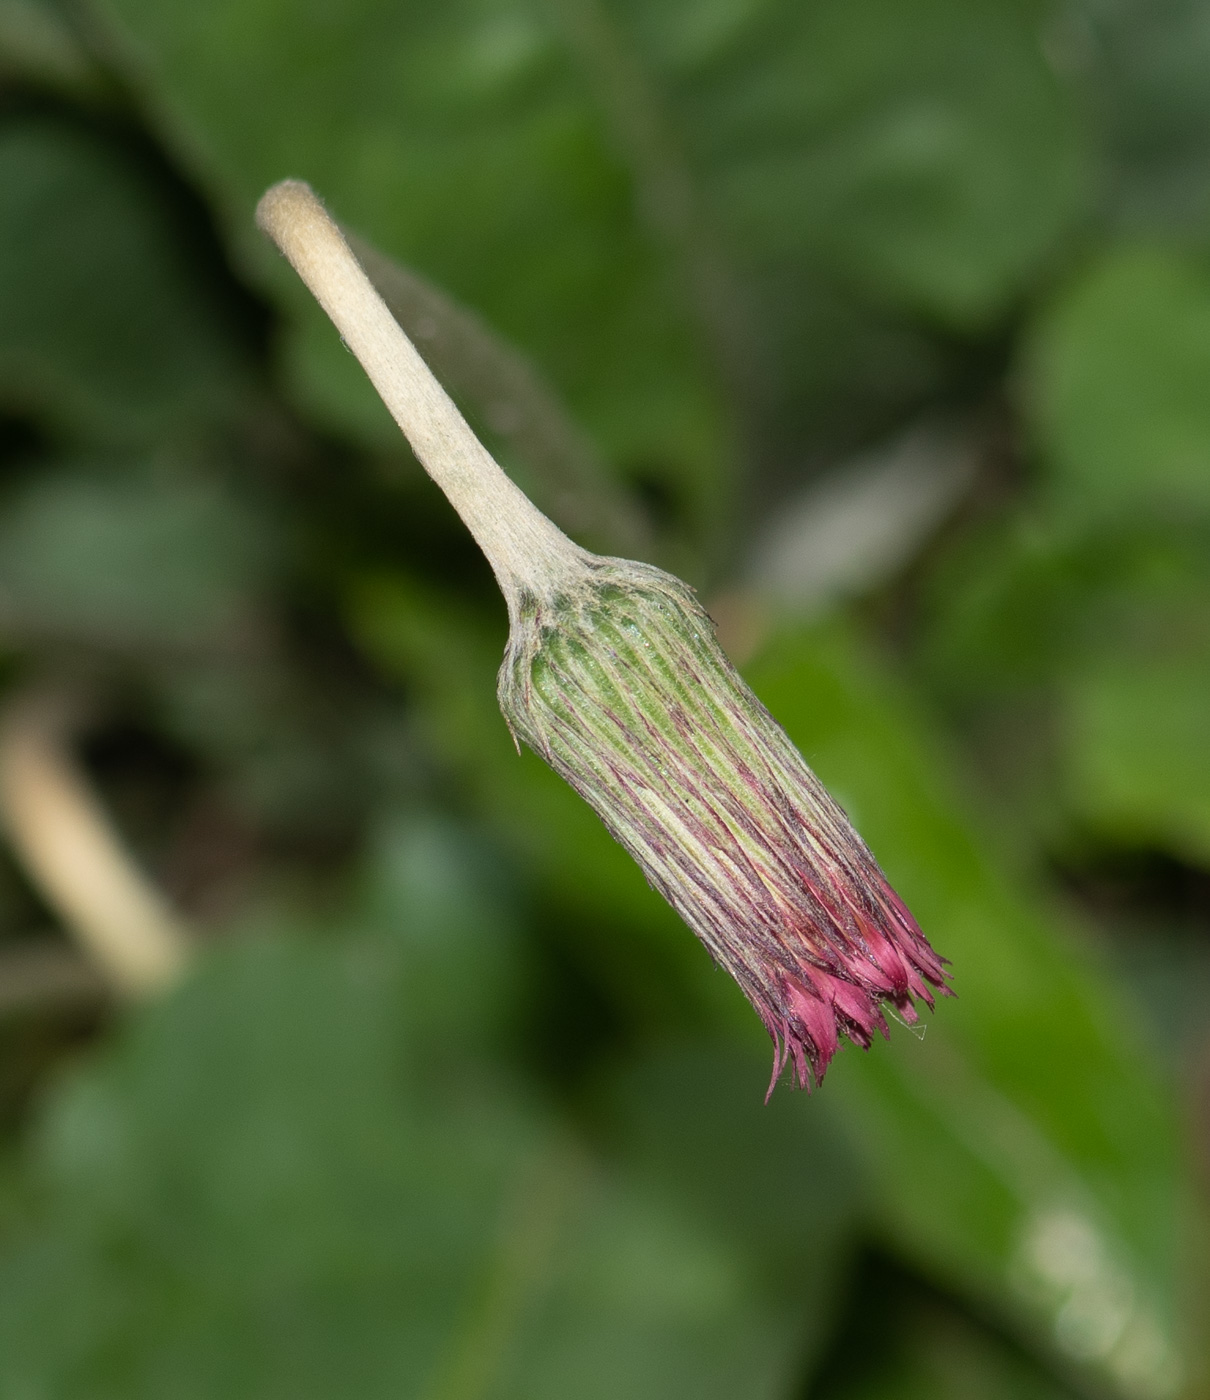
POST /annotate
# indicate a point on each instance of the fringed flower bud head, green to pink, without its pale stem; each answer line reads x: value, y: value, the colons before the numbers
x: 620, y: 685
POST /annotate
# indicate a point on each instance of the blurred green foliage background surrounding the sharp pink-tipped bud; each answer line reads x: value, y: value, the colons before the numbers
x: 886, y: 323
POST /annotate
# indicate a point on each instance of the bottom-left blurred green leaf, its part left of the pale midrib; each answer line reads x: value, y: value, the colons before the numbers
x: 249, y: 1199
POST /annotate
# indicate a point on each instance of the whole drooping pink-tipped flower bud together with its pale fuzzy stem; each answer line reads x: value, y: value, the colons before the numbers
x: 614, y: 677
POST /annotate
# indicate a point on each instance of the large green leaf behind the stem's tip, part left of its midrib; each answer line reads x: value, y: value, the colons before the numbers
x: 460, y: 141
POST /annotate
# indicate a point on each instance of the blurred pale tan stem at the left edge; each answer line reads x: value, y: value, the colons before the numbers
x: 76, y: 859
